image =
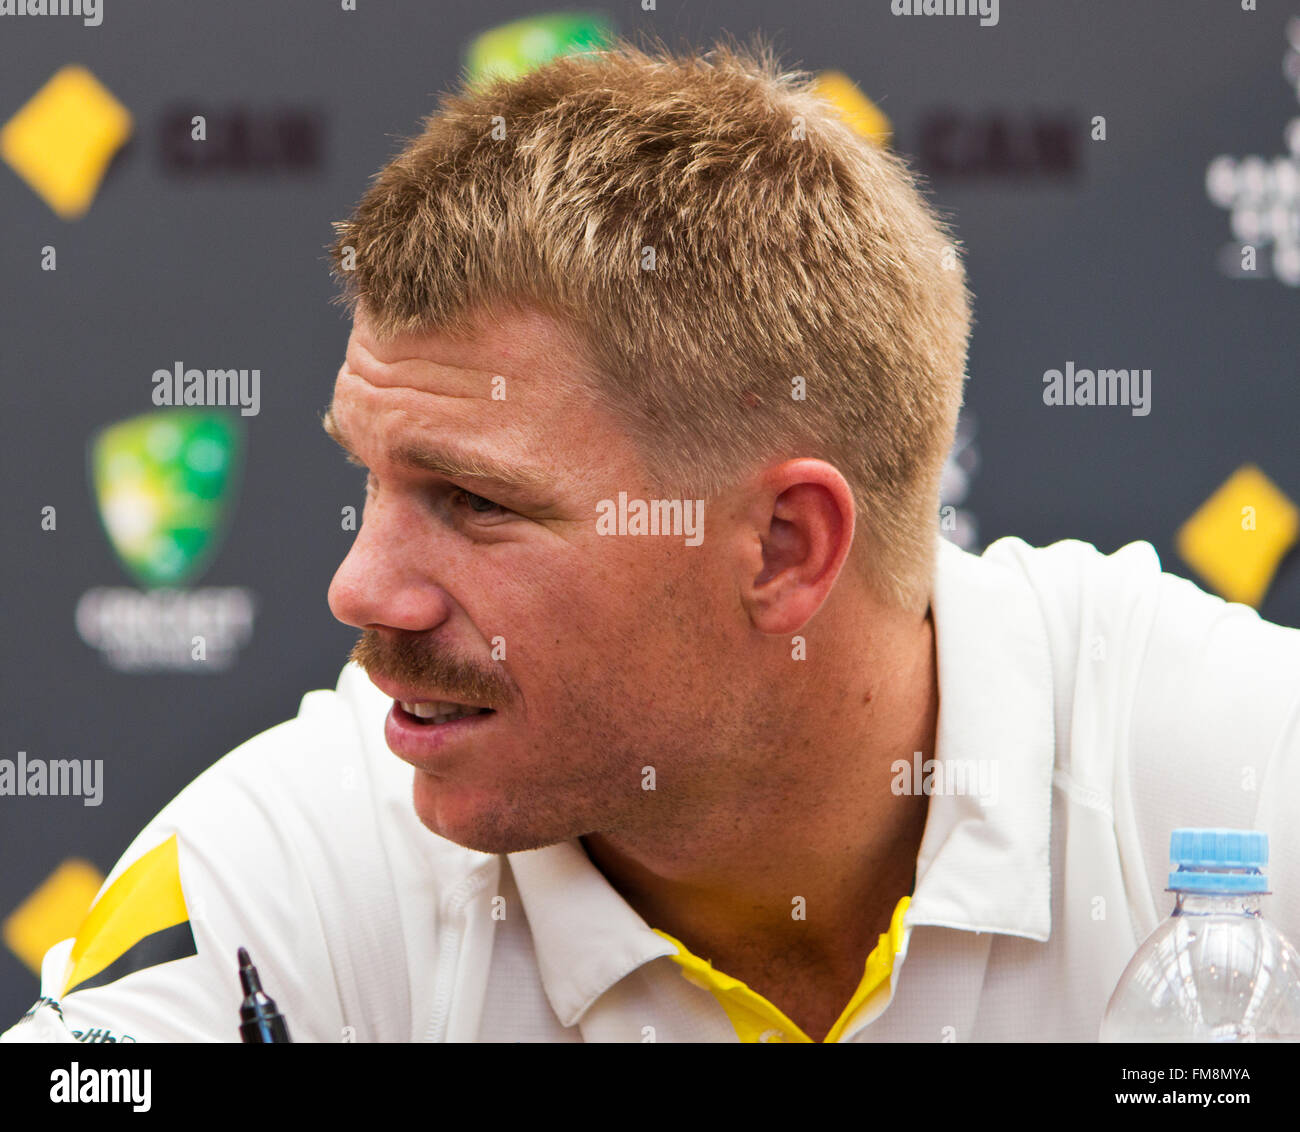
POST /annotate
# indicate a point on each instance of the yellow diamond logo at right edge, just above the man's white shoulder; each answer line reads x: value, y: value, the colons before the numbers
x: 1238, y: 537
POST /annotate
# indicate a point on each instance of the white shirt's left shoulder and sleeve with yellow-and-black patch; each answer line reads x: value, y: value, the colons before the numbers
x: 301, y: 845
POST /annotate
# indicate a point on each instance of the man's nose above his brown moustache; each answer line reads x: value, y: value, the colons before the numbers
x: 384, y: 579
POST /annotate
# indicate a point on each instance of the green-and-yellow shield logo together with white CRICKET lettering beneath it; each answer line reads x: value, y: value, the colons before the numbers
x: 164, y: 484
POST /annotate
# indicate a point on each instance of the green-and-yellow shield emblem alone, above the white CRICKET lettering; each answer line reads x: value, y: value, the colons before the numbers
x: 163, y: 483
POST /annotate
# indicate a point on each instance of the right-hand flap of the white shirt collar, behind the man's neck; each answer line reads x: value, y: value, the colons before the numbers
x: 986, y: 868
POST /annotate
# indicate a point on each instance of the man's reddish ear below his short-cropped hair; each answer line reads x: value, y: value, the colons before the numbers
x: 803, y: 515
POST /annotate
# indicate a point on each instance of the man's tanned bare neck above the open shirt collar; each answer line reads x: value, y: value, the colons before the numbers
x: 800, y: 879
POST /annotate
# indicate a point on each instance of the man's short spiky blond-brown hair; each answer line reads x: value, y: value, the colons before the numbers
x: 783, y: 245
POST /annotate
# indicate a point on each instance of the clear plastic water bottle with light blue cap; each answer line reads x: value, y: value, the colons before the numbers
x: 1216, y: 970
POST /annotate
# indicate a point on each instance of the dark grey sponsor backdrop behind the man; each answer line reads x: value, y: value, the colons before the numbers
x: 1104, y: 253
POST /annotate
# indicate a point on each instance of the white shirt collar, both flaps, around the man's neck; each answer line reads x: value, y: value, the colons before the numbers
x: 982, y: 868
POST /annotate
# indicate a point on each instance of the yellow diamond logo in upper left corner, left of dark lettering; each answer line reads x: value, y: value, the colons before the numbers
x: 63, y: 140
